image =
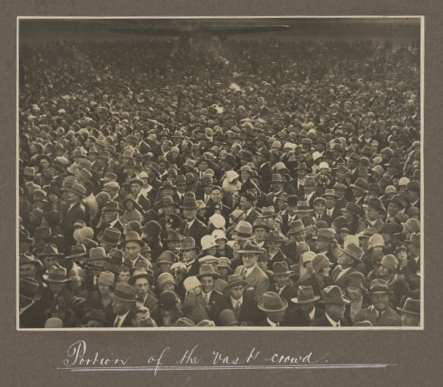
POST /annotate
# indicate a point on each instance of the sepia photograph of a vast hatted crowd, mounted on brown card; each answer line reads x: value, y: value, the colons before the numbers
x: 215, y: 173
